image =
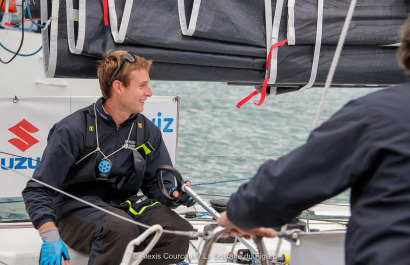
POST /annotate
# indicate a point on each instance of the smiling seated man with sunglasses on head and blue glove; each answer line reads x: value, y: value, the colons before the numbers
x: 105, y: 154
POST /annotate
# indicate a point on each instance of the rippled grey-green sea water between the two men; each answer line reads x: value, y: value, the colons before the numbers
x: 218, y: 141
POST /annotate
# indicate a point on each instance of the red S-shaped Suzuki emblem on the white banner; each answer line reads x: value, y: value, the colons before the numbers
x: 22, y: 130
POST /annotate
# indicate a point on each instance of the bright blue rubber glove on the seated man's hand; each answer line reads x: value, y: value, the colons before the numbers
x: 51, y: 252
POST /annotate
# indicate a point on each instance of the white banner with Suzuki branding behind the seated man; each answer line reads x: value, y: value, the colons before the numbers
x: 25, y: 126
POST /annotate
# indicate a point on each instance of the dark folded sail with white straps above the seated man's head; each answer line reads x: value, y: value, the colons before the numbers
x: 229, y: 40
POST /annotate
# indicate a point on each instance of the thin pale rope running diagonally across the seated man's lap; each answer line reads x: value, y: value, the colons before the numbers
x: 173, y: 232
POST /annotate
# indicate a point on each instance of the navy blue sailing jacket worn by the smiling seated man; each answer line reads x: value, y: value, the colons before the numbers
x: 65, y: 146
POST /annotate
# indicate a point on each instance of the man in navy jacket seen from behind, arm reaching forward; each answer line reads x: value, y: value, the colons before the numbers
x: 365, y: 146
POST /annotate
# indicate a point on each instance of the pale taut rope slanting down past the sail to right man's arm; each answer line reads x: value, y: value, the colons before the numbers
x: 335, y: 60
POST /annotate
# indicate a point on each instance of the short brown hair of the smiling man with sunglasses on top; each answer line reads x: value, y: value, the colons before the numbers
x: 110, y: 63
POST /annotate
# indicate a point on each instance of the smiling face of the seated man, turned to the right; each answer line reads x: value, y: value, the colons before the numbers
x: 137, y: 92
